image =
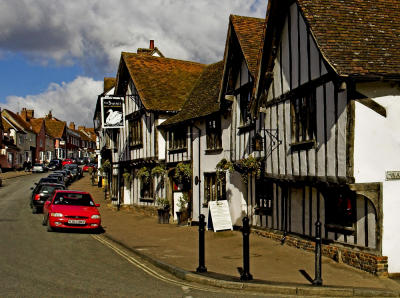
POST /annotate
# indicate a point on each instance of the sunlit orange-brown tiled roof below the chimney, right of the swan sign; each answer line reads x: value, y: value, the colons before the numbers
x: 162, y: 83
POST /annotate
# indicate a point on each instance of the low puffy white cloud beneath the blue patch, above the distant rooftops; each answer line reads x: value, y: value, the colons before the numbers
x: 73, y: 101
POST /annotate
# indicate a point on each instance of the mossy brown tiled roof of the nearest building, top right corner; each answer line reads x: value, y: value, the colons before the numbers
x: 357, y: 37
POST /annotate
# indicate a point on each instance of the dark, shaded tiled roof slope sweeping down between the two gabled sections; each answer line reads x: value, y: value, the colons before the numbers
x: 203, y: 99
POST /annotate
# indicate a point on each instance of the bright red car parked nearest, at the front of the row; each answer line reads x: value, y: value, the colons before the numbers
x: 71, y: 209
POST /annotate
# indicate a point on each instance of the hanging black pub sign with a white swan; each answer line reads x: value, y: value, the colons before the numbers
x: 112, y: 112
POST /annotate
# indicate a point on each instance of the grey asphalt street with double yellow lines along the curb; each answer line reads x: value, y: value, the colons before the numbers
x: 34, y: 262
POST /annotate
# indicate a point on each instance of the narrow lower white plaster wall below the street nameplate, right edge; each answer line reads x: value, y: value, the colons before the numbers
x: 391, y: 236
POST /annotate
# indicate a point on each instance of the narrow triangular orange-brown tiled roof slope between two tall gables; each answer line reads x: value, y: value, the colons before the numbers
x: 249, y: 32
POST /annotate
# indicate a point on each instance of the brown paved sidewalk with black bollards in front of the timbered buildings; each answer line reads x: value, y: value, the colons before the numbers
x: 275, y: 268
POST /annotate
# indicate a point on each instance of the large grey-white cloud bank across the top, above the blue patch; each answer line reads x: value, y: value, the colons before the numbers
x: 94, y: 33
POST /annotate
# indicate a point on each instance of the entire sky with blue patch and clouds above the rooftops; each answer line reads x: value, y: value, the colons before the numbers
x: 55, y: 54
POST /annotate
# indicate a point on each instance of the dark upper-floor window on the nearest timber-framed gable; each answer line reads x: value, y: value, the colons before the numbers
x: 303, y: 118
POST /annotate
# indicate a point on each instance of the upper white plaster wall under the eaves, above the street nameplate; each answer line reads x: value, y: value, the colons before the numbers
x: 377, y: 139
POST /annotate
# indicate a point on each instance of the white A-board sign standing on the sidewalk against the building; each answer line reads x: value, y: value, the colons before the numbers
x: 219, y: 216
